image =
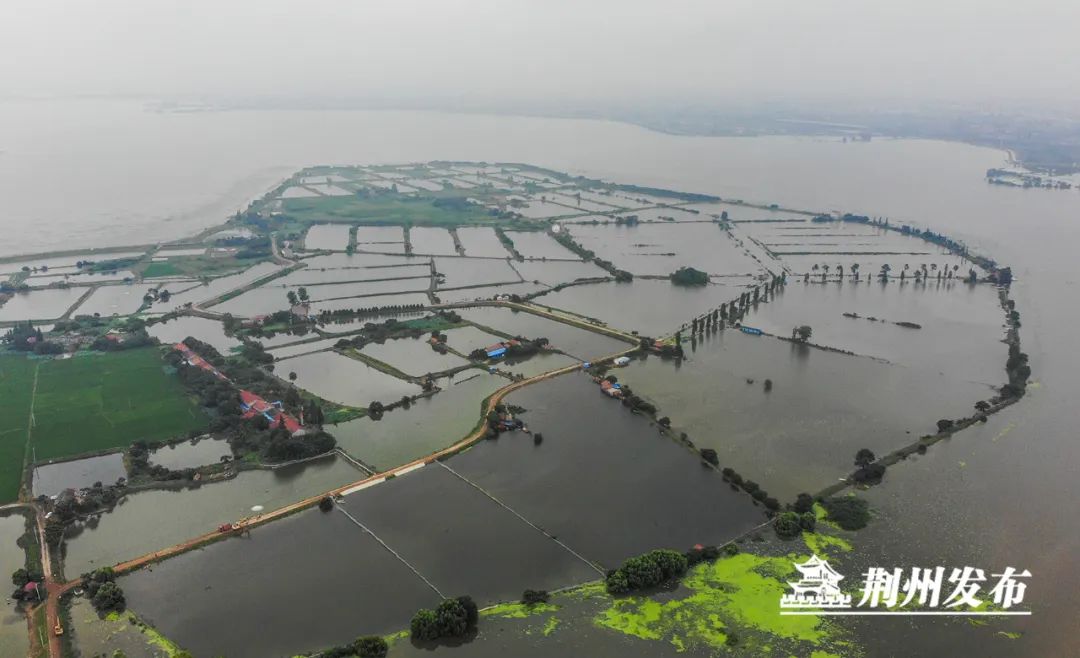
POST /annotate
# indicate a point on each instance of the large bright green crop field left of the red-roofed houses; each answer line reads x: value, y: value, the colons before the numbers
x: 103, y: 401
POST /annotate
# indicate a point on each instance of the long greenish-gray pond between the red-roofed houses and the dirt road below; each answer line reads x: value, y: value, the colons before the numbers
x: 153, y: 520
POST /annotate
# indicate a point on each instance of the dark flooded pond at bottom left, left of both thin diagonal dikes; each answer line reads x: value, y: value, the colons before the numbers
x: 213, y: 602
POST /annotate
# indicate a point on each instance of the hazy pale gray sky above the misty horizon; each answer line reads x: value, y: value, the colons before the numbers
x: 544, y: 50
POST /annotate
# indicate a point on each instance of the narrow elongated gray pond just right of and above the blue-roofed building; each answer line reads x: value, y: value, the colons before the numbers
x: 576, y: 342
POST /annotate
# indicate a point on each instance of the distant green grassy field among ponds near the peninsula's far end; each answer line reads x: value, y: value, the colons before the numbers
x: 382, y: 210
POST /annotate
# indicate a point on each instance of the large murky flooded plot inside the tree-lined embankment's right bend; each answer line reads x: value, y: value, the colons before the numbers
x: 822, y: 409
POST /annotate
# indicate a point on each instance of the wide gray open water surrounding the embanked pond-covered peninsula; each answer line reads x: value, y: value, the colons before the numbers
x: 99, y: 173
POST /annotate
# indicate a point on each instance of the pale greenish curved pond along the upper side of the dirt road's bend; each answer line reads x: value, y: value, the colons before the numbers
x: 428, y: 425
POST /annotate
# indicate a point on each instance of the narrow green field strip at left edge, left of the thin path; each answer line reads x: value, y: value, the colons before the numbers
x: 17, y: 387
